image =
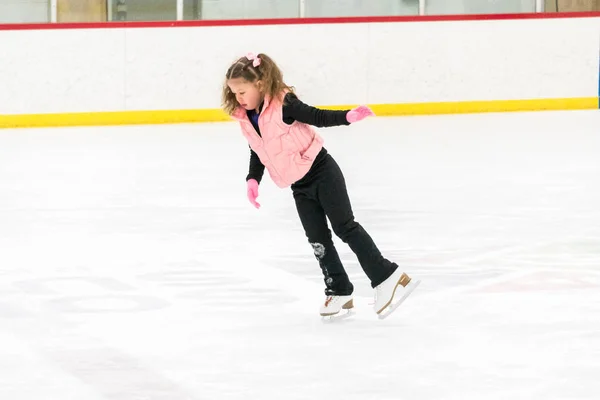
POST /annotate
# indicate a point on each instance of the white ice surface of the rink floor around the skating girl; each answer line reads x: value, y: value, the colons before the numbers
x: 132, y: 266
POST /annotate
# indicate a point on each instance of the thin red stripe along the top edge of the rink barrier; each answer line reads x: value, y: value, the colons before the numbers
x: 294, y: 21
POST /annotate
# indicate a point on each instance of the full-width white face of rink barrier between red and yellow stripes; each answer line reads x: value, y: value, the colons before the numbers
x: 61, y: 71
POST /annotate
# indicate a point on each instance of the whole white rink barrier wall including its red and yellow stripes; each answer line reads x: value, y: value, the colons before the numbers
x: 551, y: 62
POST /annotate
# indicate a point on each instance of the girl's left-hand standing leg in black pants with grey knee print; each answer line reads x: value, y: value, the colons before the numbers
x: 315, y: 226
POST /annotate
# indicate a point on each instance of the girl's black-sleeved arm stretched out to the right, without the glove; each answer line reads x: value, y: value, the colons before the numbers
x: 296, y: 110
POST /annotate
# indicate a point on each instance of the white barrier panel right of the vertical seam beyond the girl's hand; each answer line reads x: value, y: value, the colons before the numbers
x: 484, y: 60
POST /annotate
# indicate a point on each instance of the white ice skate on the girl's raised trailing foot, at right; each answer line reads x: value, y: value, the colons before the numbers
x: 392, y: 292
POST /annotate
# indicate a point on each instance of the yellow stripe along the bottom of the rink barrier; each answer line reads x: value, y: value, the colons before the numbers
x: 217, y: 115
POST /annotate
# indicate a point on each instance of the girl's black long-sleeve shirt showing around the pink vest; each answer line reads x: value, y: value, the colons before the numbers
x: 294, y: 110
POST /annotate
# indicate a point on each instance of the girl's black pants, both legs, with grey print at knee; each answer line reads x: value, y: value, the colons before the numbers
x: 322, y: 194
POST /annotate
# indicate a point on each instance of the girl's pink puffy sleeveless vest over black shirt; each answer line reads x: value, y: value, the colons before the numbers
x: 286, y: 151
